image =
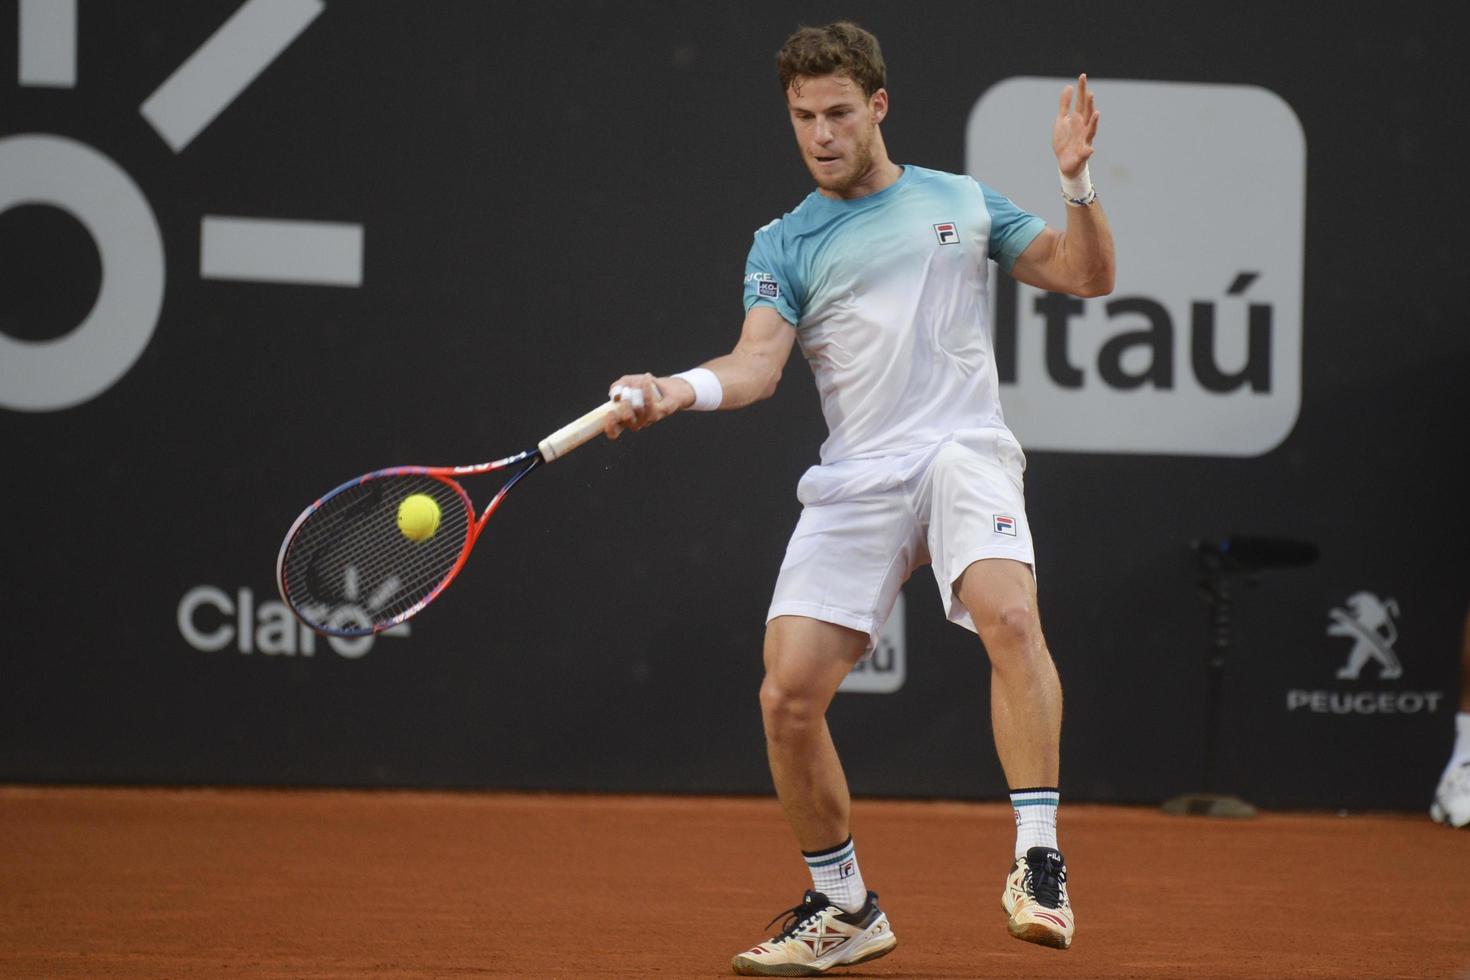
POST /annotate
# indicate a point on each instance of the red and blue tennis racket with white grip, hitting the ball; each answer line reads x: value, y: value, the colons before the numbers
x: 349, y: 569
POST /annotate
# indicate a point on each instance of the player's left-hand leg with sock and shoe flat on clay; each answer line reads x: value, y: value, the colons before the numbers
x: 806, y: 660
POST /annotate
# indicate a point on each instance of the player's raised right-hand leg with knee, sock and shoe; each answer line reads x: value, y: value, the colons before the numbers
x: 1000, y: 594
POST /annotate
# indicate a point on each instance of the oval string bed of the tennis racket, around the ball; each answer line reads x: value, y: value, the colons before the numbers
x: 351, y: 569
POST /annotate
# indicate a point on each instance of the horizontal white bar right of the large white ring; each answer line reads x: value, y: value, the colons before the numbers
x: 265, y: 251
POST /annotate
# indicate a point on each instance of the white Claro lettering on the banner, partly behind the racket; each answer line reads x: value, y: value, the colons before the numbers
x: 212, y: 619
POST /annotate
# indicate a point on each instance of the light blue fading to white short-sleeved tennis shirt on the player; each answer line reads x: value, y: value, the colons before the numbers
x: 890, y: 300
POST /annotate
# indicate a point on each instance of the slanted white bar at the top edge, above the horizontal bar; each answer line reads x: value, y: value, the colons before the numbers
x: 224, y: 67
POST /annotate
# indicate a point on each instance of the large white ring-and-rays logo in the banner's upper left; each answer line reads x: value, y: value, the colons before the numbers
x: 61, y: 174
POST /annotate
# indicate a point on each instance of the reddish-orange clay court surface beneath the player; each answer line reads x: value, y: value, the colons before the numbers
x: 333, y: 884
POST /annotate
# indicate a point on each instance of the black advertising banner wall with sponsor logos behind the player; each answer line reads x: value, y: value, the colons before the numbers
x: 249, y: 251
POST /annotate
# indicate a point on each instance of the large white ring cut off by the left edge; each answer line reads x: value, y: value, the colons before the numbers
x: 89, y: 361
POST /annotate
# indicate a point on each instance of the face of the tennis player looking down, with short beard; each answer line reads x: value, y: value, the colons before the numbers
x: 837, y: 129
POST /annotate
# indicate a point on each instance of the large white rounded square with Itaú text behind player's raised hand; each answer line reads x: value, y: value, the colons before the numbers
x: 1197, y: 350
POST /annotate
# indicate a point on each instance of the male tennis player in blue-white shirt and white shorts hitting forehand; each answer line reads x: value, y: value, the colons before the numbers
x: 881, y: 275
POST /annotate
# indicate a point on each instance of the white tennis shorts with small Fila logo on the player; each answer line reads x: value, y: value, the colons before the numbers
x: 868, y: 525
